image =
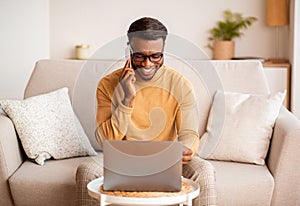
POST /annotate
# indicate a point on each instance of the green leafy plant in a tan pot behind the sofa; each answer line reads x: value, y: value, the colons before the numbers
x: 225, y: 31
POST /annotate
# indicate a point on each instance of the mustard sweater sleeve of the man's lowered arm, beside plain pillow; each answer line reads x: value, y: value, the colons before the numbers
x: 187, y: 120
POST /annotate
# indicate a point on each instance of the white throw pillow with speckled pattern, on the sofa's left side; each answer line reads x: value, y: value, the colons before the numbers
x: 48, y: 127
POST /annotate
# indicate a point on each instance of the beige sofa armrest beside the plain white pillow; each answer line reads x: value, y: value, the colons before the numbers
x: 284, y: 161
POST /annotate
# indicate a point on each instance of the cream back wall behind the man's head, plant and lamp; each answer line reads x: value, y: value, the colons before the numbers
x: 96, y: 22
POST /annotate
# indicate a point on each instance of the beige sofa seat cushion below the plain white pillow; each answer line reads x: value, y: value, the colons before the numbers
x: 243, y: 184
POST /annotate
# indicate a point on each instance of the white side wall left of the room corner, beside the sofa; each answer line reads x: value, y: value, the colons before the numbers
x: 24, y: 35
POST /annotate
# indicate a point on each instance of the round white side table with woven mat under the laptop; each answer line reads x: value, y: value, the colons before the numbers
x: 144, y: 198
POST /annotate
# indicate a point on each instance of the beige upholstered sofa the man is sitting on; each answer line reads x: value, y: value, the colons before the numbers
x: 23, y: 182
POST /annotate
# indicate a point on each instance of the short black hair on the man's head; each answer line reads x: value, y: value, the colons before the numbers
x: 147, y: 28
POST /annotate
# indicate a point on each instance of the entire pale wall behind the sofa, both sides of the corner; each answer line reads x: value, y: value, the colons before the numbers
x: 25, y: 30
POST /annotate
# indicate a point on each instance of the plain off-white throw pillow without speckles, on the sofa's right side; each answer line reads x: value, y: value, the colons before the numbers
x: 240, y: 127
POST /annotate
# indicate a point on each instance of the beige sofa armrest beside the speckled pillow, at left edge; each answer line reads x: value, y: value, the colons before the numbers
x: 10, y: 157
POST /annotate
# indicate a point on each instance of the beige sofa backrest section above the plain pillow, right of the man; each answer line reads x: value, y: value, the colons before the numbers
x: 207, y: 76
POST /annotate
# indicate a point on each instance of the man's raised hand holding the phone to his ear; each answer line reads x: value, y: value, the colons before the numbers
x: 127, y: 82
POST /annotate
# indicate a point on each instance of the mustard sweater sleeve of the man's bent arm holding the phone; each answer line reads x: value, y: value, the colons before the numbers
x: 112, y: 115
